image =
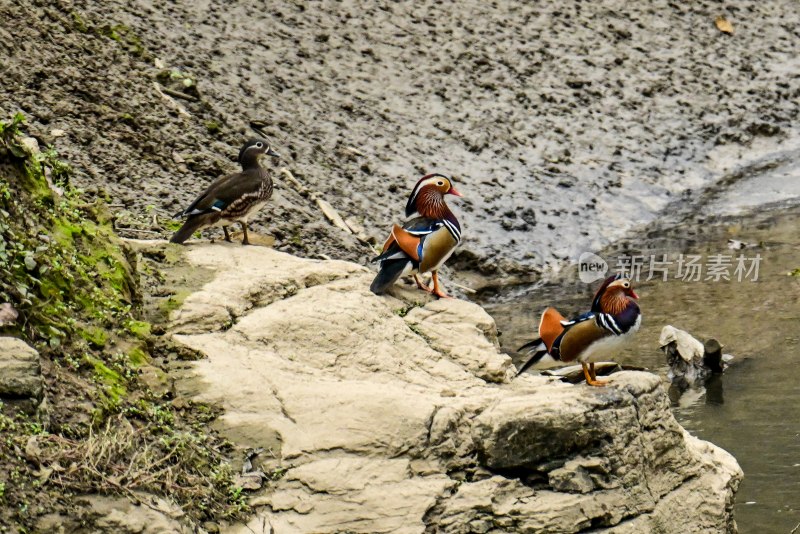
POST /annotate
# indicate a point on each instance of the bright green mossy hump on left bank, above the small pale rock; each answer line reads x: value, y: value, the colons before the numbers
x: 60, y: 261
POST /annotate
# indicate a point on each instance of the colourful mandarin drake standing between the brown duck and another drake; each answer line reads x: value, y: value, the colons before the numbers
x: 425, y: 242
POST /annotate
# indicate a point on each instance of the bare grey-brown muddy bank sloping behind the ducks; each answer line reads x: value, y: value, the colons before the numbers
x: 558, y: 120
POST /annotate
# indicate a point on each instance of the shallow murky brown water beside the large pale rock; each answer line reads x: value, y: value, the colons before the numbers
x: 752, y: 411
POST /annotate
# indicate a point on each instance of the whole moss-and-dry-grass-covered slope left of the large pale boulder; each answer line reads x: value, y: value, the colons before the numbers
x: 109, y: 423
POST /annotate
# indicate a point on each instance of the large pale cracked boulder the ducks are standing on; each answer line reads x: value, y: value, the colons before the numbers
x: 398, y: 414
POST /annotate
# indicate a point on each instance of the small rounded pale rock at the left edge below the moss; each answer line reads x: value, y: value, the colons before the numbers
x: 20, y: 370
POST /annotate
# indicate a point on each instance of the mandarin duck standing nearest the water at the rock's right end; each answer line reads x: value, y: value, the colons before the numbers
x: 592, y: 336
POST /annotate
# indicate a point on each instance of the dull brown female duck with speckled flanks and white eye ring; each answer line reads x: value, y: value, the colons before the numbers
x: 231, y: 198
